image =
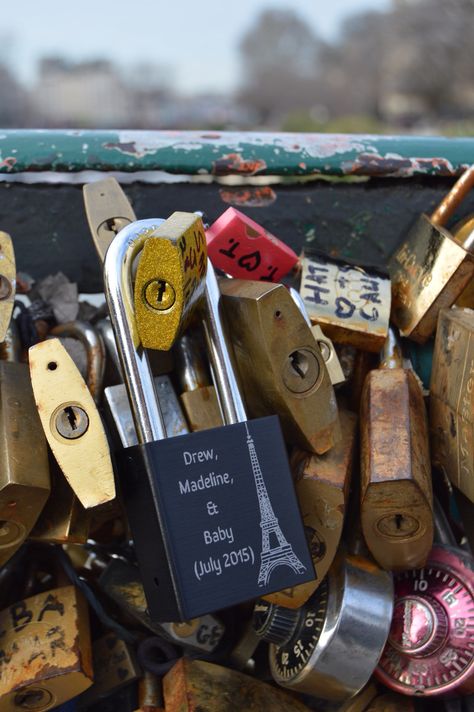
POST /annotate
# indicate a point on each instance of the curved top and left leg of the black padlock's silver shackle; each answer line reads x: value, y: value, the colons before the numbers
x: 139, y: 382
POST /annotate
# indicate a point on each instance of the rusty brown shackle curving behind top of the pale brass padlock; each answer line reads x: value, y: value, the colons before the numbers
x: 91, y: 339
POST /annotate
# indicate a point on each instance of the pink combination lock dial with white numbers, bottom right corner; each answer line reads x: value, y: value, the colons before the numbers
x: 430, y: 648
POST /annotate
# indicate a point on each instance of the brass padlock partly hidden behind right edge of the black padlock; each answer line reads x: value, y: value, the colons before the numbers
x: 322, y: 487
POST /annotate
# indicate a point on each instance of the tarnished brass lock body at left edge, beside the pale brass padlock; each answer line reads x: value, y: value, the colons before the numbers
x: 24, y: 473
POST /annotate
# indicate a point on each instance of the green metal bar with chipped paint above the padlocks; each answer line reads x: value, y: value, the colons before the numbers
x: 226, y: 153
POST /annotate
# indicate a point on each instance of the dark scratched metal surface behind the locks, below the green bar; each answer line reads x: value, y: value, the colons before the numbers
x: 360, y: 222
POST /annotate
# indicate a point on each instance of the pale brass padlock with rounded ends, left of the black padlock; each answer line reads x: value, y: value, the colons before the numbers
x: 71, y: 423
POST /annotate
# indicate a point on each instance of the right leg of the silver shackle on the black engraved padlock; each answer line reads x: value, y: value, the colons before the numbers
x: 222, y: 368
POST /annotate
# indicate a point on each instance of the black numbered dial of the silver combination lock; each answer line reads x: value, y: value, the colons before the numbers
x: 289, y: 660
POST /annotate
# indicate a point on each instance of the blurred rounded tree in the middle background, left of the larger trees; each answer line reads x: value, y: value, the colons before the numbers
x: 279, y: 65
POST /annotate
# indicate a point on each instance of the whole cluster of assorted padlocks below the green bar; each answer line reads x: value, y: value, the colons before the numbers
x: 243, y: 502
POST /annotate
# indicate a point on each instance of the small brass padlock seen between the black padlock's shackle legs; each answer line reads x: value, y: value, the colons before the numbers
x: 198, y: 396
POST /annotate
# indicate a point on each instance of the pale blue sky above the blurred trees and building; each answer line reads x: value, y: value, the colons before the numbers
x: 196, y: 39
